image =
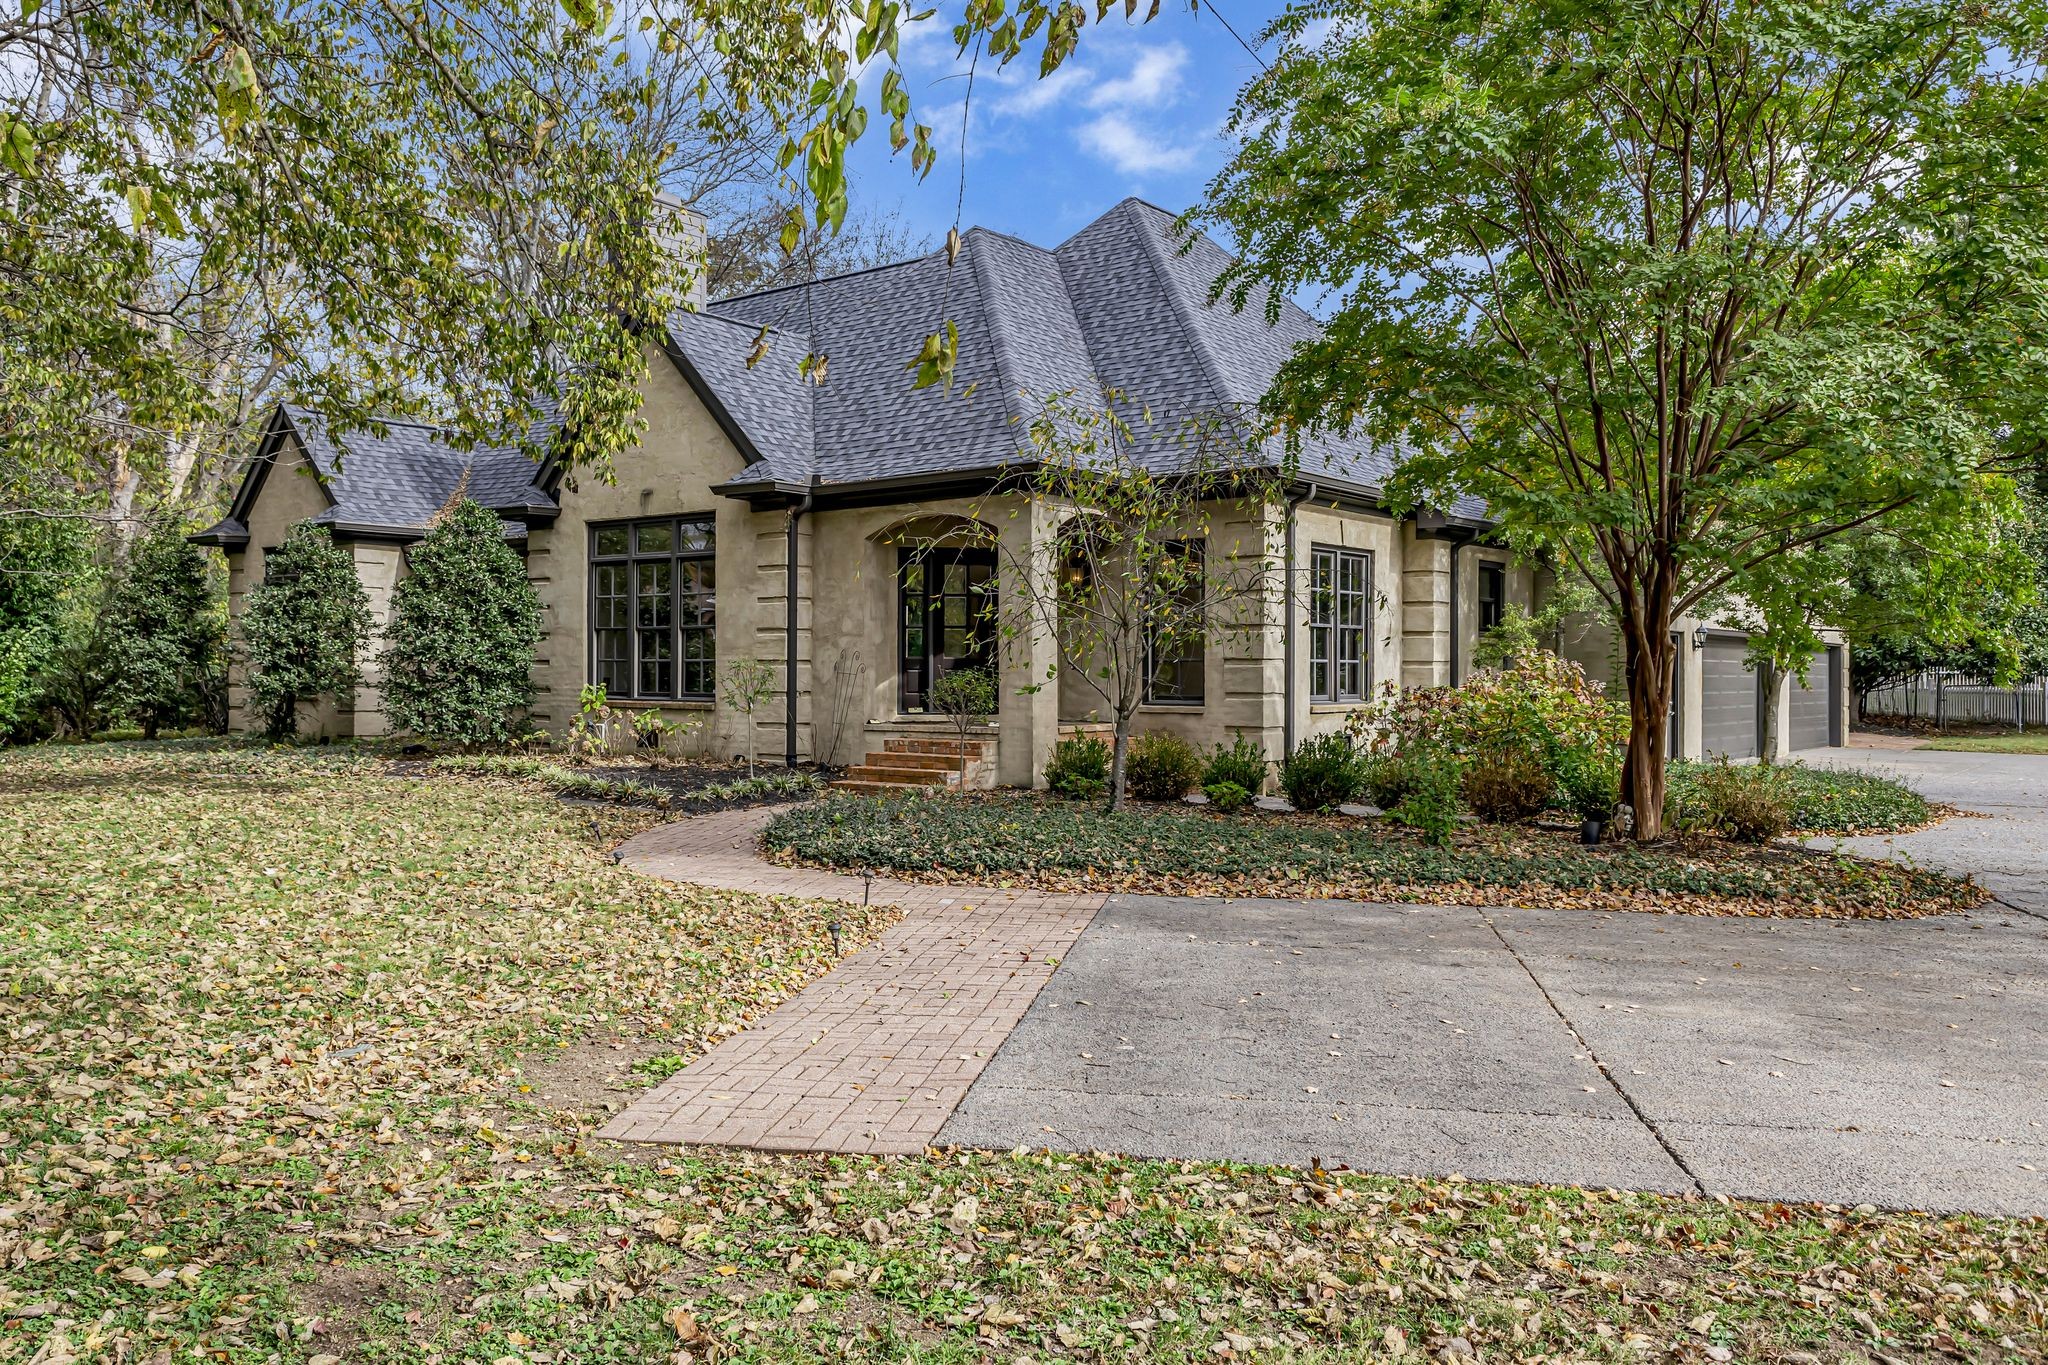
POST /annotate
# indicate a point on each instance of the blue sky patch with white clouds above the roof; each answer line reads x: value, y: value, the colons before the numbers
x: 1136, y: 112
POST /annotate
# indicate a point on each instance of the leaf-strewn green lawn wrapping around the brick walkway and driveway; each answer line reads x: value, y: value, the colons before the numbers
x: 300, y: 1063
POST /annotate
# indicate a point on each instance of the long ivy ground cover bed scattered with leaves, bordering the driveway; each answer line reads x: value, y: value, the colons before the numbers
x: 1187, y: 850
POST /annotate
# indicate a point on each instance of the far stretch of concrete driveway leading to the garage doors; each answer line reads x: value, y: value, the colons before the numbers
x: 2004, y: 844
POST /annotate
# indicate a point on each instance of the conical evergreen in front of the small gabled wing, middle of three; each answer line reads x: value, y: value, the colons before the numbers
x: 306, y: 627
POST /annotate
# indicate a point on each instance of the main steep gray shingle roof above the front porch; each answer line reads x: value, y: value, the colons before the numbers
x: 1115, y: 306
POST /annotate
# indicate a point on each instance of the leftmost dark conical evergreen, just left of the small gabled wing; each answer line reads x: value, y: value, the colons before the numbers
x: 163, y: 633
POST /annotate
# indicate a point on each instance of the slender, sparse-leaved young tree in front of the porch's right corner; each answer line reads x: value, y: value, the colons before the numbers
x: 1164, y: 545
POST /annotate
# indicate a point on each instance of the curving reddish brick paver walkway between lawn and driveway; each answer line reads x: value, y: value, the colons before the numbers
x: 876, y: 1055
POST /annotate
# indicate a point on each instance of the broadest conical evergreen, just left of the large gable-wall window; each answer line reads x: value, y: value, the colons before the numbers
x: 458, y: 660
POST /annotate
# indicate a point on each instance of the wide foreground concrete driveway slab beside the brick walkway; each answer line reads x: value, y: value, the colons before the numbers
x: 1891, y: 1063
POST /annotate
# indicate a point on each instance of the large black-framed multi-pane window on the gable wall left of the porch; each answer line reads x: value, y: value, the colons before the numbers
x: 654, y: 609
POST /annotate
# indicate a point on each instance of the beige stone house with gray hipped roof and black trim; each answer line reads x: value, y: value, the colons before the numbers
x: 833, y: 529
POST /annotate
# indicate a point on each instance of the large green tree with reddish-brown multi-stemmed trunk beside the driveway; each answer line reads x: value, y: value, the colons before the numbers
x: 1678, y: 288
